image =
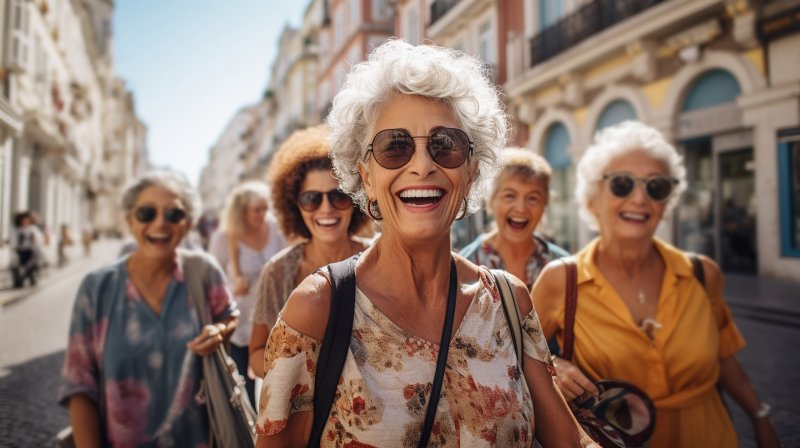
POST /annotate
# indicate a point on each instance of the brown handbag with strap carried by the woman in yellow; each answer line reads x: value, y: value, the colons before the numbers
x: 622, y: 415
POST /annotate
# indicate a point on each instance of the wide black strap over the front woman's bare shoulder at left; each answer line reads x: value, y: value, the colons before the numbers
x: 335, y: 344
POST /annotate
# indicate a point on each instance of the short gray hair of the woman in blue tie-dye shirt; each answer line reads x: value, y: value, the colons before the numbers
x: 172, y: 181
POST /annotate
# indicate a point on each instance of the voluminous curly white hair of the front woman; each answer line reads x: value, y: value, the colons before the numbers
x: 447, y: 76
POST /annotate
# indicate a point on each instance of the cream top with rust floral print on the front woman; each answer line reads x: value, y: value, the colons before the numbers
x: 388, y: 374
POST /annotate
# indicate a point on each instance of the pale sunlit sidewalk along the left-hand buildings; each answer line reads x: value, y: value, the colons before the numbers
x: 103, y: 251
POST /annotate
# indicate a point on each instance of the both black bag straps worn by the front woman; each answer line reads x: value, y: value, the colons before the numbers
x: 336, y: 343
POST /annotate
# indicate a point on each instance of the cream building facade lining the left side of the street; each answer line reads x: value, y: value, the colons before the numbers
x: 59, y: 158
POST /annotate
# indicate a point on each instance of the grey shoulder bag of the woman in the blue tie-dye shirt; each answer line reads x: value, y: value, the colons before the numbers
x: 231, y: 416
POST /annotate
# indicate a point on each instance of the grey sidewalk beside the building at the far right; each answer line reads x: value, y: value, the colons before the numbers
x: 765, y: 299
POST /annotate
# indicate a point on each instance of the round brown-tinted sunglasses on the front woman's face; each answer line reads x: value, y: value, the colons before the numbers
x: 448, y: 147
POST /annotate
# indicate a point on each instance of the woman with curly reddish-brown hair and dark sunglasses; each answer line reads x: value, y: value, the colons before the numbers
x: 310, y: 207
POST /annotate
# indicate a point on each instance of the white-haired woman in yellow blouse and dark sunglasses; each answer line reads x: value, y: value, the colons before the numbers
x: 642, y: 315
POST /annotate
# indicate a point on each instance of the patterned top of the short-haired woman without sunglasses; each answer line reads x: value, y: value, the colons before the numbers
x: 481, y: 253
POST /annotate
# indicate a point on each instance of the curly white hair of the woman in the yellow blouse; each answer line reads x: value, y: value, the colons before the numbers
x: 614, y: 142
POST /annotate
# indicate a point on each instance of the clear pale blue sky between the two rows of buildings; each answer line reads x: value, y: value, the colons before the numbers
x: 192, y: 64
